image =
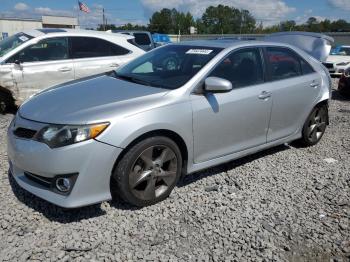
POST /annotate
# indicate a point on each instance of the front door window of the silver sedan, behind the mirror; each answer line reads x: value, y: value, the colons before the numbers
x: 241, y: 68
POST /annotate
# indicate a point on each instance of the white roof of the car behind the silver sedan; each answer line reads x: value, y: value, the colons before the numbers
x: 72, y: 32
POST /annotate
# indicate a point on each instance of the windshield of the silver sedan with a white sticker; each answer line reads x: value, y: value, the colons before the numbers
x: 169, y: 67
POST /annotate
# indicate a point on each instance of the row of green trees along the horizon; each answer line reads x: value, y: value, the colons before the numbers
x: 223, y: 19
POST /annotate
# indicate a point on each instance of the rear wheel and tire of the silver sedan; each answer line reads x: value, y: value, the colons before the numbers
x: 315, y: 126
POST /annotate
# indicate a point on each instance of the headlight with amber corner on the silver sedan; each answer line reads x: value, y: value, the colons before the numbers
x: 58, y: 135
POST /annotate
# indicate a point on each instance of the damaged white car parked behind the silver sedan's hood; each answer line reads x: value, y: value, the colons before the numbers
x: 34, y: 60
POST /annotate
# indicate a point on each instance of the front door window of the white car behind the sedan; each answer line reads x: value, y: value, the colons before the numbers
x: 46, y: 50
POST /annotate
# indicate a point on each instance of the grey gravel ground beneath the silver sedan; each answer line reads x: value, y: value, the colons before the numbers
x: 284, y: 204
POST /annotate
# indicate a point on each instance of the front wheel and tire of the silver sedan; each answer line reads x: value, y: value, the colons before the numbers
x: 148, y: 171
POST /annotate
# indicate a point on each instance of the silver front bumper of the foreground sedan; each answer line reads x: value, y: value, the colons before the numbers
x: 93, y: 161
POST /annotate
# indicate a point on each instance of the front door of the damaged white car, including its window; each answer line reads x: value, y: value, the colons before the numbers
x: 42, y: 65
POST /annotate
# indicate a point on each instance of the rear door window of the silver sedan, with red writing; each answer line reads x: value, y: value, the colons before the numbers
x: 283, y: 63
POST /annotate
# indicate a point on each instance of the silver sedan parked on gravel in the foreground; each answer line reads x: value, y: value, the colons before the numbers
x: 176, y: 110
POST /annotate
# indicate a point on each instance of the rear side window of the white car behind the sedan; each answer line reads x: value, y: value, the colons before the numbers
x: 85, y: 47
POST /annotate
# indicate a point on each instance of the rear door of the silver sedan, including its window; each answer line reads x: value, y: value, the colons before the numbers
x: 294, y: 87
